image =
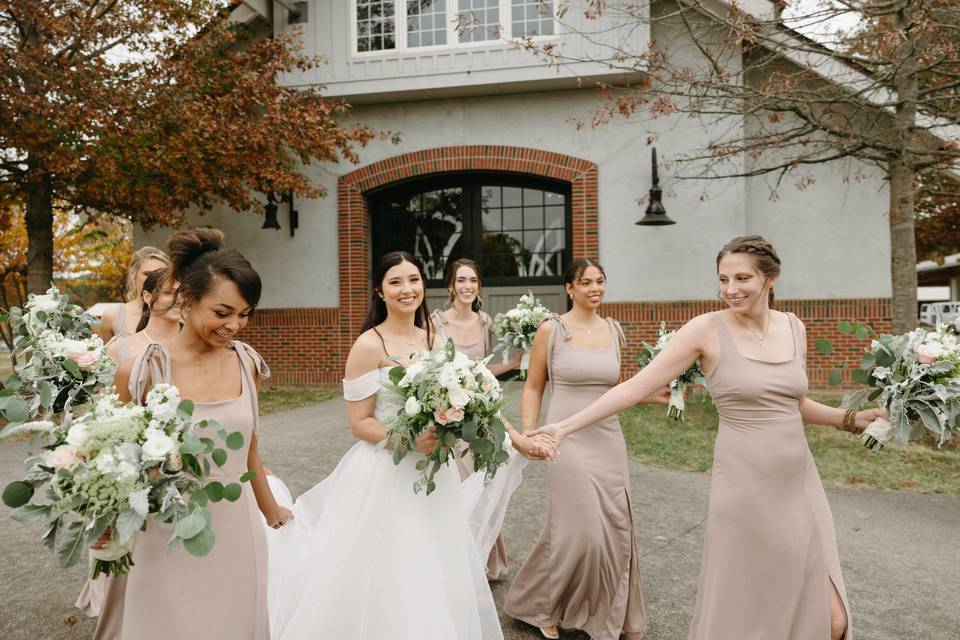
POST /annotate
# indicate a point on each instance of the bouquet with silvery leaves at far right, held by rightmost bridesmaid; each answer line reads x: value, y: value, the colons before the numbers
x: 915, y: 377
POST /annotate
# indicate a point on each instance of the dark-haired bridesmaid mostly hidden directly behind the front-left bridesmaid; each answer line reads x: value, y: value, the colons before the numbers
x: 160, y: 322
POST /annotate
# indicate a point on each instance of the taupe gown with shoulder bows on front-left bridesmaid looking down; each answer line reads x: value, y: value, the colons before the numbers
x: 222, y: 594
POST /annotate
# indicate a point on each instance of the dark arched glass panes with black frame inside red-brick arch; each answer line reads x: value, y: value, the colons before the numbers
x: 516, y: 227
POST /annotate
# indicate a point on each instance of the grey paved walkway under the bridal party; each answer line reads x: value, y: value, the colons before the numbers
x: 899, y: 550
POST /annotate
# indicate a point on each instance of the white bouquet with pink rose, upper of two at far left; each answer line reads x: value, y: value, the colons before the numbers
x: 61, y: 362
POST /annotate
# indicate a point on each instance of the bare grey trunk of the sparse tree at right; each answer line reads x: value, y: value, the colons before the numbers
x: 903, y: 247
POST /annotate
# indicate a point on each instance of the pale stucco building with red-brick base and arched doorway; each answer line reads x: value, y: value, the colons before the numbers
x: 490, y: 166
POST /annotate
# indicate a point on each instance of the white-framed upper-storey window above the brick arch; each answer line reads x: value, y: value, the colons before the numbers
x: 444, y: 23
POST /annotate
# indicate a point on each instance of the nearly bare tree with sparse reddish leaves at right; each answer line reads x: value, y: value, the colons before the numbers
x: 791, y: 90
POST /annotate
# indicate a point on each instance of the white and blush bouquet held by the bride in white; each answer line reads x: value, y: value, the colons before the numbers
x: 461, y: 398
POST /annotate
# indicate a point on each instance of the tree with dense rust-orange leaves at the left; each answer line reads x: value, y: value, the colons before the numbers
x: 145, y: 109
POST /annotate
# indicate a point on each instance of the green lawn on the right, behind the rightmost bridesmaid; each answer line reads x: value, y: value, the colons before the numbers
x: 842, y: 460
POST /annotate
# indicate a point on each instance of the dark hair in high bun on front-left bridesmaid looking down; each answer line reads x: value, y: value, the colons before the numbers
x: 200, y: 259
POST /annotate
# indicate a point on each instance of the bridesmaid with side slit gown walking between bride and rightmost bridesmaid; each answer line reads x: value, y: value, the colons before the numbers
x: 583, y: 572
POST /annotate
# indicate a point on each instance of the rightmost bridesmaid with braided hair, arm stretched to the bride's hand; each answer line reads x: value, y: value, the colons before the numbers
x: 770, y: 565
